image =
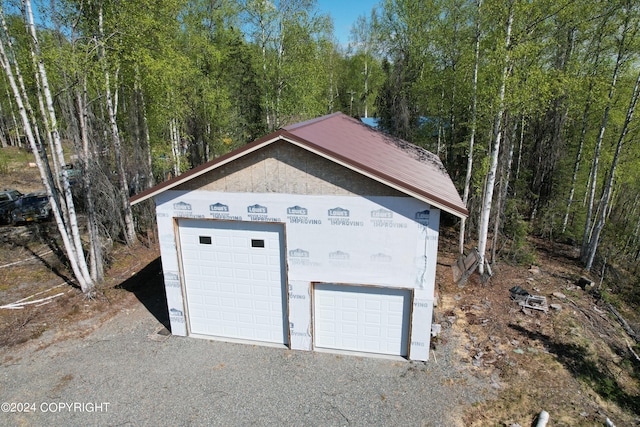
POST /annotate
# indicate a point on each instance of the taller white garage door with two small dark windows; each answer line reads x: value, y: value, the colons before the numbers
x: 234, y: 279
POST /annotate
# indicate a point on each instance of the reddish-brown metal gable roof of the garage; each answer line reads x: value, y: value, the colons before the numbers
x: 347, y: 141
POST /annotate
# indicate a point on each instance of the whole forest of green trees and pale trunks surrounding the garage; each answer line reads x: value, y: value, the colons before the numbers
x: 529, y: 104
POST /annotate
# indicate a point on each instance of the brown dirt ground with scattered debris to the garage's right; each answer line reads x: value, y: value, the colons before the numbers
x: 542, y: 339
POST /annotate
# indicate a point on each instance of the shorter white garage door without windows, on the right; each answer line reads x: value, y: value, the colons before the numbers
x: 358, y: 318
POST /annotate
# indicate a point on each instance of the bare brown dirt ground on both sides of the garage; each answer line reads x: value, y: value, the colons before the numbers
x: 574, y: 361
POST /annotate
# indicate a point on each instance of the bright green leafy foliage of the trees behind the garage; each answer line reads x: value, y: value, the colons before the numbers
x: 228, y: 72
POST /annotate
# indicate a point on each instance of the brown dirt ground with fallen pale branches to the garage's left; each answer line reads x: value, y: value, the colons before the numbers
x: 32, y: 271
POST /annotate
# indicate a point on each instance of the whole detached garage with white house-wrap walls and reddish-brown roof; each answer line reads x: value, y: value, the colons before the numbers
x: 320, y: 236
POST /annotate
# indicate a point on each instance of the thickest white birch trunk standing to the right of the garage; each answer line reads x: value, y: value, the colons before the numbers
x: 491, y: 176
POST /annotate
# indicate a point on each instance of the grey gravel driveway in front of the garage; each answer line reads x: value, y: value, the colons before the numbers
x: 118, y: 375
